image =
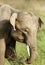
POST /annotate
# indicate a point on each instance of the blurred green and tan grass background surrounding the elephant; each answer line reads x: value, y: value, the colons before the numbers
x: 37, y: 7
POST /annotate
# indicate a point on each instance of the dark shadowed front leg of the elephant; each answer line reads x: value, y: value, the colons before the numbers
x: 11, y: 50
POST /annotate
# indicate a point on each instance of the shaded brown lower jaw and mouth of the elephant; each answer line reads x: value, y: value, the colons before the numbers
x: 17, y: 36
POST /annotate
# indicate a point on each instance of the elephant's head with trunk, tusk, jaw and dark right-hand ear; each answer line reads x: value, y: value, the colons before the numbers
x: 27, y: 24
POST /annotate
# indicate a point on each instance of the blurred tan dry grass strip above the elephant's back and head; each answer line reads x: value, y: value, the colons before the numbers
x: 26, y: 4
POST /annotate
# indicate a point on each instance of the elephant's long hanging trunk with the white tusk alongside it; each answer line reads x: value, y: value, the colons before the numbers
x: 32, y: 47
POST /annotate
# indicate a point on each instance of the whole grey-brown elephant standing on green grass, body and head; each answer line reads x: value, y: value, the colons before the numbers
x: 26, y: 25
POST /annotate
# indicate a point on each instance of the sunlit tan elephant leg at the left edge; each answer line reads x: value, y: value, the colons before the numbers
x: 2, y: 51
